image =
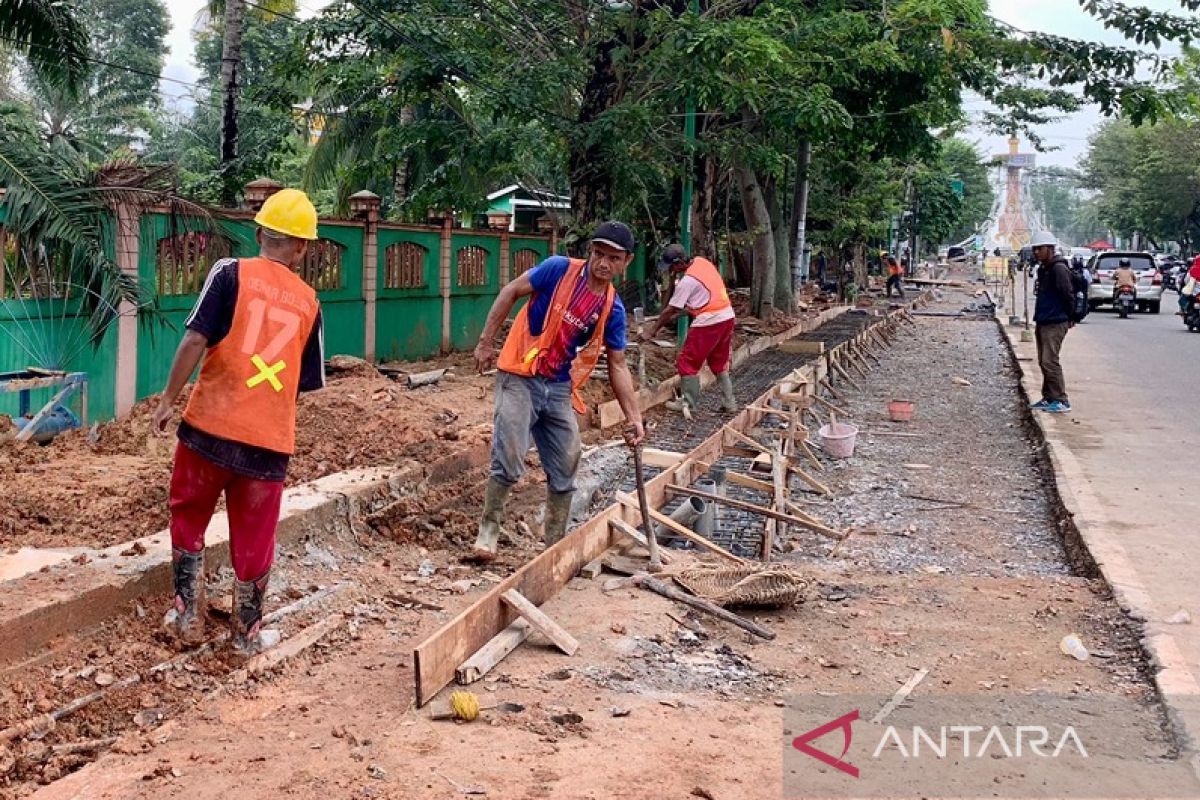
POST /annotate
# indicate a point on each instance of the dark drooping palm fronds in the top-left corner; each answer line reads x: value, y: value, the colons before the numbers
x: 52, y: 37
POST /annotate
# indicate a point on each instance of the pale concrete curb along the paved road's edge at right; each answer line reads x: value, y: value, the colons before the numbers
x: 1178, y: 688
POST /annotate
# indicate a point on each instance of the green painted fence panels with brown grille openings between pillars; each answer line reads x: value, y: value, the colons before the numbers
x: 173, y: 263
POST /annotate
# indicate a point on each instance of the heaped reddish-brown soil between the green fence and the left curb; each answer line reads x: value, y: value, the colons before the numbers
x: 95, y: 490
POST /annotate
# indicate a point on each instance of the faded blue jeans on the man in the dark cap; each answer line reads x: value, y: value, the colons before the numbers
x: 539, y: 410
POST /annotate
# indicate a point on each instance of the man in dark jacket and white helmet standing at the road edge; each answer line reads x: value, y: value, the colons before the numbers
x: 1054, y: 316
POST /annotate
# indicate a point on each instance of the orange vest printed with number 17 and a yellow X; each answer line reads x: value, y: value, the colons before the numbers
x: 250, y: 380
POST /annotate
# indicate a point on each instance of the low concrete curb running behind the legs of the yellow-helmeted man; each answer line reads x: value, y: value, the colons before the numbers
x: 69, y: 597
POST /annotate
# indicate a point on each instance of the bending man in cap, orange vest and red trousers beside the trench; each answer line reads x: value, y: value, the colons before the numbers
x: 700, y: 293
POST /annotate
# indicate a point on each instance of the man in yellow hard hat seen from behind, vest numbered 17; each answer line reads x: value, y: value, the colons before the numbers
x: 257, y: 327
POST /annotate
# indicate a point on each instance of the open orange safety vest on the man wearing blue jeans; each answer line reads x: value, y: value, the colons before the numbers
x: 523, y: 351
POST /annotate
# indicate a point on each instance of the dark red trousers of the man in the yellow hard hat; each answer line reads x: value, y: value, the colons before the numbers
x: 253, y: 507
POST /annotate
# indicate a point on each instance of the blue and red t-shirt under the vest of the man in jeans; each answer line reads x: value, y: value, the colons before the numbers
x: 580, y: 322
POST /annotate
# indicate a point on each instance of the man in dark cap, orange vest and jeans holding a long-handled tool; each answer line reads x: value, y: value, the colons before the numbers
x: 574, y: 311
